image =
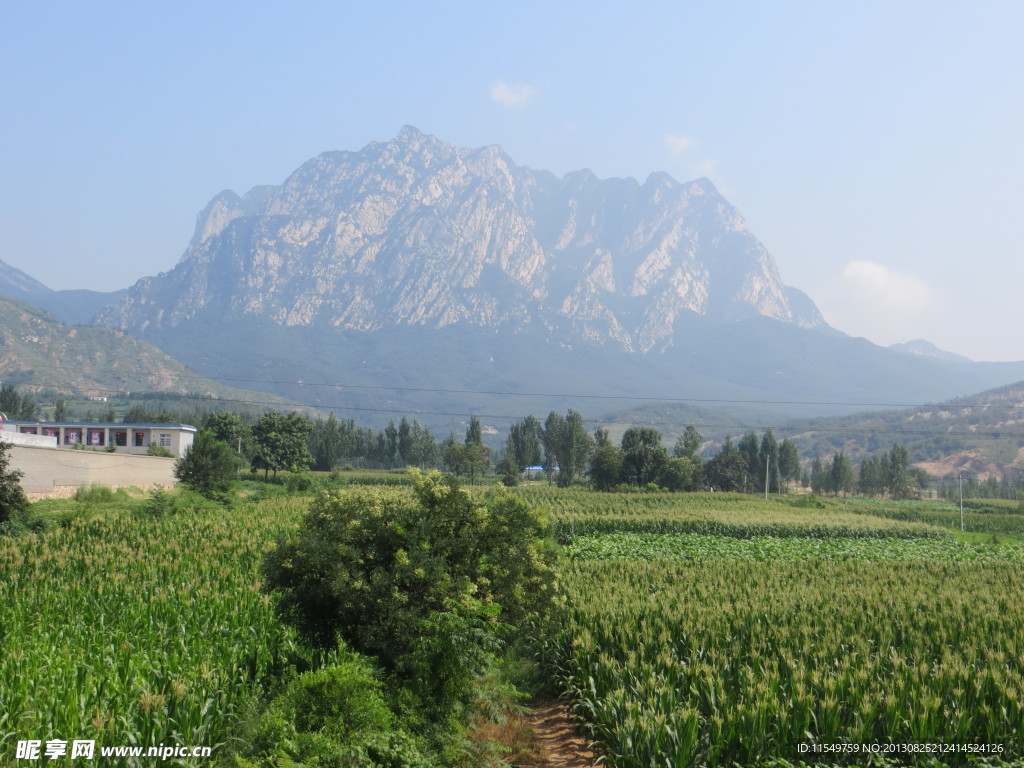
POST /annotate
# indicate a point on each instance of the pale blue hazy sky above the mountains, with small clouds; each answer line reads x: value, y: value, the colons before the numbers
x: 877, y: 149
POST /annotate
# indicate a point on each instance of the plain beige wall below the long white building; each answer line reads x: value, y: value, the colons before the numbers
x: 59, y: 473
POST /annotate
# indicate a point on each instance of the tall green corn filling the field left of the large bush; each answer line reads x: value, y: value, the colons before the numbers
x: 138, y: 632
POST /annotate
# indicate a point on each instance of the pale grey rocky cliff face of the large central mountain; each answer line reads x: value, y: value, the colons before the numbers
x: 417, y: 233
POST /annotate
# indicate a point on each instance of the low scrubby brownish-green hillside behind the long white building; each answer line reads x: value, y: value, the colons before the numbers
x: 38, y: 353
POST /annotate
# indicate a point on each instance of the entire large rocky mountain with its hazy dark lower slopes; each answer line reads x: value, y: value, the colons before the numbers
x: 417, y: 277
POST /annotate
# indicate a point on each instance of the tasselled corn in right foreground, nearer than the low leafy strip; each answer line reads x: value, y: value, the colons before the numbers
x: 715, y: 662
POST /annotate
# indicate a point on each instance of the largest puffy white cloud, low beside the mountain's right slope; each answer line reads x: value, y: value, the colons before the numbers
x: 872, y: 301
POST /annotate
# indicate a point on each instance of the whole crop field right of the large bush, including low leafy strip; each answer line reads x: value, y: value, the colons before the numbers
x: 719, y: 630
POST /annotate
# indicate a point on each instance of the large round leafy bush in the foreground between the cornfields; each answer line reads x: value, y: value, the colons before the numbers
x: 424, y: 585
